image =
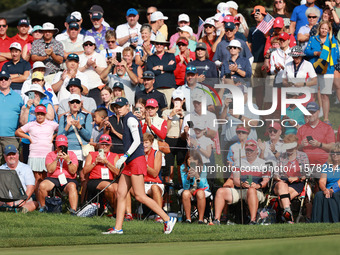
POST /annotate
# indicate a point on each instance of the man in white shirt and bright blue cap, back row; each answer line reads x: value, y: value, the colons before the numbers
x: 128, y: 33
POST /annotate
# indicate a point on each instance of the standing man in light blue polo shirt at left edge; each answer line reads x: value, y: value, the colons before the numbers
x: 10, y: 105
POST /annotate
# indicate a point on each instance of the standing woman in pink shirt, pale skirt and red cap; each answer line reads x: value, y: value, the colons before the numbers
x: 40, y: 134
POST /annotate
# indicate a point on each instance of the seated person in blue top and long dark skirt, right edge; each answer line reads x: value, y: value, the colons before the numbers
x: 327, y: 201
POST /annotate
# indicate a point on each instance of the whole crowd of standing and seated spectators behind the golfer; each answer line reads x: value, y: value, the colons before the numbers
x: 60, y: 94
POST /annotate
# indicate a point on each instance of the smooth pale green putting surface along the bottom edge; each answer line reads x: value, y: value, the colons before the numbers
x: 318, y: 245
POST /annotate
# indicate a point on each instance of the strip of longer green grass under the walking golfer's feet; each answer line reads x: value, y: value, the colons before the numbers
x: 34, y: 229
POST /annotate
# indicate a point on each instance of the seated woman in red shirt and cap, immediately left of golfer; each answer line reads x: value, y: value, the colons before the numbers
x: 101, y: 167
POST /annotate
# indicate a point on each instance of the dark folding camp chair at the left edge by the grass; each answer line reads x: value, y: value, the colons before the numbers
x: 11, y: 189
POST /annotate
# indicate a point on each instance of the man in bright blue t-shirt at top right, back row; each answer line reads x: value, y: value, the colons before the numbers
x: 299, y: 18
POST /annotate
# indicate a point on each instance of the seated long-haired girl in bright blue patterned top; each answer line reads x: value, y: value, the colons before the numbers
x: 195, y: 184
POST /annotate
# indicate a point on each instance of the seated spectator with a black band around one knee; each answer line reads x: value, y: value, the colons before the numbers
x: 289, y: 182
